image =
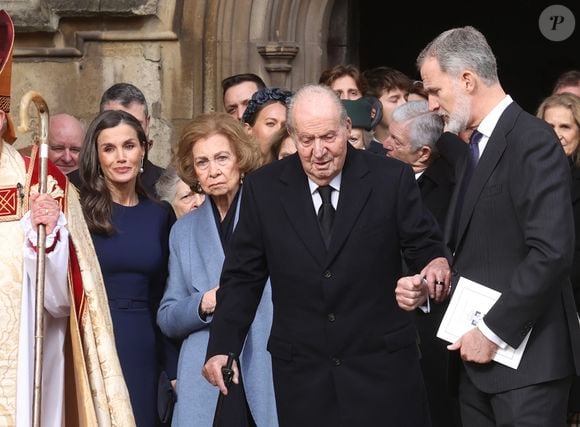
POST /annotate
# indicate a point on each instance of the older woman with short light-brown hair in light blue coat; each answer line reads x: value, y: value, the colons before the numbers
x: 215, y: 151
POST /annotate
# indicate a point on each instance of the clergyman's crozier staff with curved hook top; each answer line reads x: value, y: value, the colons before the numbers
x: 42, y: 108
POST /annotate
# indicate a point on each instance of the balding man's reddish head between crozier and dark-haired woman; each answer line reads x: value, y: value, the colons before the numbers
x: 65, y: 139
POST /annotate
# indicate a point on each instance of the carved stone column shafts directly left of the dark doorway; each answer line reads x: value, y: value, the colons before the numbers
x: 284, y: 41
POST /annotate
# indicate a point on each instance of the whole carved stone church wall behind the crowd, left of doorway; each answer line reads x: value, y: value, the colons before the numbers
x: 176, y: 51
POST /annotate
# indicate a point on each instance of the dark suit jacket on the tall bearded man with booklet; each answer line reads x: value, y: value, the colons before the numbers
x: 515, y: 234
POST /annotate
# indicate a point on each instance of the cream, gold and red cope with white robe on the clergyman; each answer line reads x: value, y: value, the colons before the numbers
x: 80, y: 363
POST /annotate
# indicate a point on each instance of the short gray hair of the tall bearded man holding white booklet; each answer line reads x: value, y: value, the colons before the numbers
x: 459, y: 49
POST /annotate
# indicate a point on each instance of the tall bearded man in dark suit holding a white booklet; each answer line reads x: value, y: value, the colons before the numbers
x: 509, y: 228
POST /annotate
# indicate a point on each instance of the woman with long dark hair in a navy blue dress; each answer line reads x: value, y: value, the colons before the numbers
x: 131, y: 234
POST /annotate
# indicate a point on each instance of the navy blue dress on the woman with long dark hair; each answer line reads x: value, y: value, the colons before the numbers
x: 134, y: 262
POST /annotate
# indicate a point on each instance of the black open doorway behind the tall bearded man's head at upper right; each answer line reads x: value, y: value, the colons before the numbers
x: 393, y: 33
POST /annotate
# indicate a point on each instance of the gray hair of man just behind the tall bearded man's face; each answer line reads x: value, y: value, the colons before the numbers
x: 425, y: 127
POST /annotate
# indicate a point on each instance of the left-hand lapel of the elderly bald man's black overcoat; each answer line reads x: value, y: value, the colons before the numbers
x: 297, y: 202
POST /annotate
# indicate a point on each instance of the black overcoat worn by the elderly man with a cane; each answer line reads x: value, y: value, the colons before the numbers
x: 343, y: 353
